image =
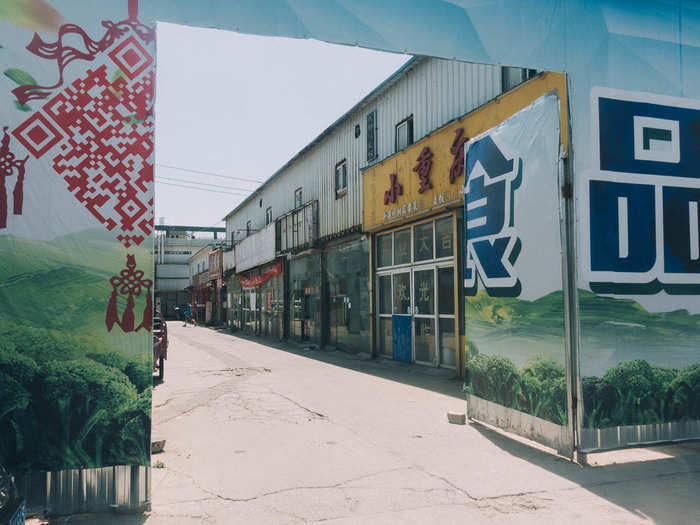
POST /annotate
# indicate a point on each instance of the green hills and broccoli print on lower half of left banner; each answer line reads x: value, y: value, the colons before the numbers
x: 73, y: 394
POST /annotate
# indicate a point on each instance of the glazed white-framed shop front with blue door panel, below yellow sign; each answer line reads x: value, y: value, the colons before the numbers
x: 416, y: 280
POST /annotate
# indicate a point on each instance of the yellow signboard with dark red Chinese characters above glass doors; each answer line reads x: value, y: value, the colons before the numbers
x: 429, y: 175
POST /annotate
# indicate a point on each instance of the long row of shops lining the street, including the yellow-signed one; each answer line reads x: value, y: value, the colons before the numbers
x: 389, y: 285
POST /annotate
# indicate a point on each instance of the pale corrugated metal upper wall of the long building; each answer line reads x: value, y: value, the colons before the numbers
x: 434, y: 91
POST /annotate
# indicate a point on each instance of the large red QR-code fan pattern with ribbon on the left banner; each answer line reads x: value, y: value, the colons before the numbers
x: 98, y: 132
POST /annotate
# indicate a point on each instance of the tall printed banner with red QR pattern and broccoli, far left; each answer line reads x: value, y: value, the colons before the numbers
x: 76, y: 217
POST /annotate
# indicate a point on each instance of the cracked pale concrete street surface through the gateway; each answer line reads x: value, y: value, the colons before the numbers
x: 260, y: 434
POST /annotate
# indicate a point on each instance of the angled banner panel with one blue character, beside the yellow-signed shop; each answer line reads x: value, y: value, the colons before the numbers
x: 514, y: 304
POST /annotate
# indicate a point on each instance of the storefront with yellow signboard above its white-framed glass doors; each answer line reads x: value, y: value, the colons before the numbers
x: 413, y: 206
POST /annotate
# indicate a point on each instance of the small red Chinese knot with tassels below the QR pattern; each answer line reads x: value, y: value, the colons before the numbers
x: 129, y: 283
